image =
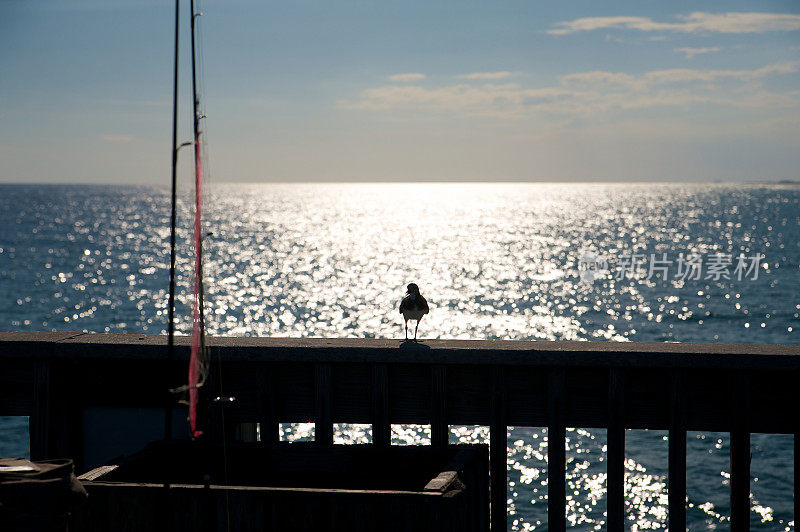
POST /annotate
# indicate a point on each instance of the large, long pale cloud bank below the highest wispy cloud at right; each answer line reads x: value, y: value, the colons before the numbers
x: 586, y: 94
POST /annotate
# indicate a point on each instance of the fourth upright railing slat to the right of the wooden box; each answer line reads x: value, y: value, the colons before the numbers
x: 677, y: 453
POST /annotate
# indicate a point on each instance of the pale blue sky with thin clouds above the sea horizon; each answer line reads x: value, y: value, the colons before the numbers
x: 346, y: 90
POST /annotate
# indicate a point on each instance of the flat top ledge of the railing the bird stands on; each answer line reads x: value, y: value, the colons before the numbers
x: 503, y: 352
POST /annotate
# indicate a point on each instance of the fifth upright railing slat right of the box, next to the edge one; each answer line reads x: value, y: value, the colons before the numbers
x: 740, y: 453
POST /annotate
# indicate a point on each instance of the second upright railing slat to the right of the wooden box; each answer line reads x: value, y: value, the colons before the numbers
x: 556, y: 454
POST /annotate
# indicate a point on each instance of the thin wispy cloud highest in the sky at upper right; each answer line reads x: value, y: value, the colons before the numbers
x: 698, y: 22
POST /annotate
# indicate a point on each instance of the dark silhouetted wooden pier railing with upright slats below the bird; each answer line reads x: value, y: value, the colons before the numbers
x: 55, y: 377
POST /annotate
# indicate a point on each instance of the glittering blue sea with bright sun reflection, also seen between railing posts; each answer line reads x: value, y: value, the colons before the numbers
x: 620, y: 262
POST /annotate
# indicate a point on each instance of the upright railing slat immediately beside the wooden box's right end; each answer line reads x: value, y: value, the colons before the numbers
x: 498, y: 454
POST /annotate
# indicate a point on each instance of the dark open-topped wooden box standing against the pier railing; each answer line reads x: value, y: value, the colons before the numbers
x: 195, y: 487
